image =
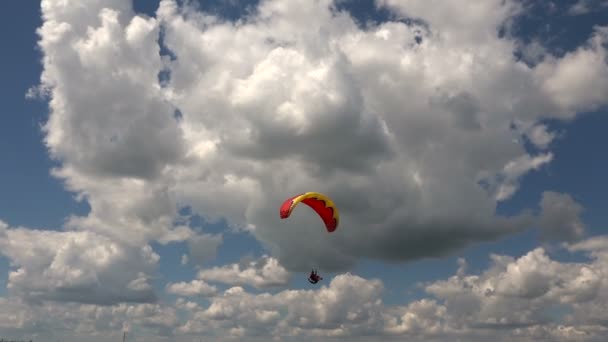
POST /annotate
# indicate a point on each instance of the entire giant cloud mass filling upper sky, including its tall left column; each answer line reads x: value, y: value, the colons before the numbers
x: 396, y: 121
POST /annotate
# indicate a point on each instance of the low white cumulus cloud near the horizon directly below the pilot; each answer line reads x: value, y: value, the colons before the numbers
x: 348, y: 301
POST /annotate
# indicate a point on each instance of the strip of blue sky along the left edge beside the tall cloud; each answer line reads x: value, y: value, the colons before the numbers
x: 21, y: 135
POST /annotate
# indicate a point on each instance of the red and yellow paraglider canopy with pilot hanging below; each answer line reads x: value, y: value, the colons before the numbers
x: 323, y: 206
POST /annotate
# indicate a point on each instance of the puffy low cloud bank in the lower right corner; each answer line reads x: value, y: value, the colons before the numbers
x: 519, y: 294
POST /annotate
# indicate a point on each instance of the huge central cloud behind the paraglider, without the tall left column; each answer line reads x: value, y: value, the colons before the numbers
x: 282, y: 99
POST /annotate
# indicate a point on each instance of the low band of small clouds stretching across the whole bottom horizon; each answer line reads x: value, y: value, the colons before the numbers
x: 527, y: 297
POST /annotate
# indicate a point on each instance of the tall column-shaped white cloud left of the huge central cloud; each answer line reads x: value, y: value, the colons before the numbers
x: 109, y: 125
